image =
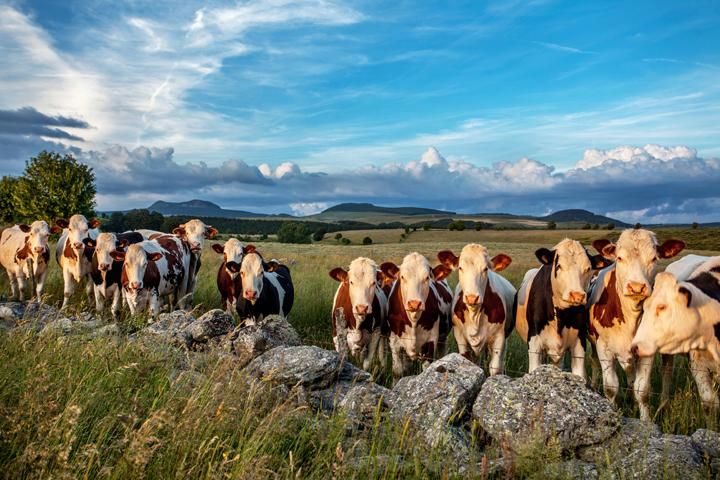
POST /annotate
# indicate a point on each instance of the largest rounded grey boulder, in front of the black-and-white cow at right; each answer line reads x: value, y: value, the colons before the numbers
x: 544, y: 404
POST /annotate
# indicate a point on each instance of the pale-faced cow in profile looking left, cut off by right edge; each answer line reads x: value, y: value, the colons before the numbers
x: 684, y: 317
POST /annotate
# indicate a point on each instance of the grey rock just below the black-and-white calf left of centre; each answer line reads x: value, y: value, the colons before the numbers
x: 248, y: 342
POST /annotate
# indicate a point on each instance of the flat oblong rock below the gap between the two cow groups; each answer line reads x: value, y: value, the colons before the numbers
x: 310, y: 367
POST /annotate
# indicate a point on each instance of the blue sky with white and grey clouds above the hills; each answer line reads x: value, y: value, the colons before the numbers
x: 292, y: 106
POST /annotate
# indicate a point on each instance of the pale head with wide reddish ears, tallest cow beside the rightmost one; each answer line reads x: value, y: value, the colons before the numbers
x: 636, y: 254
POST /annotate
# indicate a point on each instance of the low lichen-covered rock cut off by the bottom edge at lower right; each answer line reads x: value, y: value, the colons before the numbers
x: 667, y: 456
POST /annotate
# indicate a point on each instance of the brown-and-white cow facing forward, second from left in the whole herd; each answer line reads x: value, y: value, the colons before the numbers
x: 71, y: 255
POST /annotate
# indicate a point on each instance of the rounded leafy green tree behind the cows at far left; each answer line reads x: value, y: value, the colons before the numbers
x: 53, y: 186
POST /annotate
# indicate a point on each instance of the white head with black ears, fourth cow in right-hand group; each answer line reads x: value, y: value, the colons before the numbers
x: 572, y: 267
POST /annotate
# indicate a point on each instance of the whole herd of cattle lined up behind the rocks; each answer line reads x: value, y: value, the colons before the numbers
x: 614, y: 301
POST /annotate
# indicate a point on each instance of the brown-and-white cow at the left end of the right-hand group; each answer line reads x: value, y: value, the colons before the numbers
x: 364, y: 306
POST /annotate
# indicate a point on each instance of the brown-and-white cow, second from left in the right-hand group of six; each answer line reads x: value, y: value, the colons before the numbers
x: 418, y: 311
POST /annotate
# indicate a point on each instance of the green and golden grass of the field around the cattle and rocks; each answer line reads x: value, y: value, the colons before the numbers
x: 119, y: 409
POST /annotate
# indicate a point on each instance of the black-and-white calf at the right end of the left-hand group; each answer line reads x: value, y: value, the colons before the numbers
x: 267, y: 288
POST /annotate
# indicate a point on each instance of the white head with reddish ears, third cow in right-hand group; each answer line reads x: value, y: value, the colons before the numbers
x: 473, y: 266
